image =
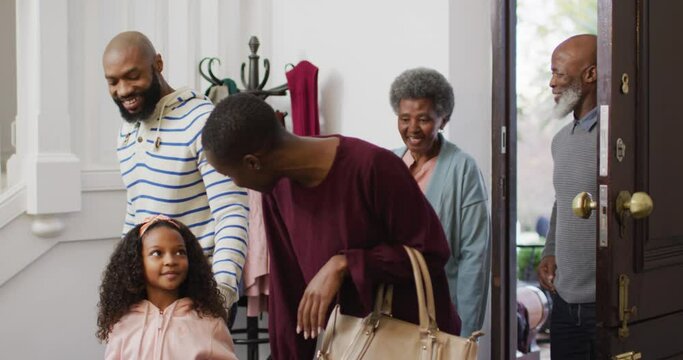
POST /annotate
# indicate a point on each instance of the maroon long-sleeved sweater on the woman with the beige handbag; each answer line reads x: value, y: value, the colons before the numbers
x: 367, y: 207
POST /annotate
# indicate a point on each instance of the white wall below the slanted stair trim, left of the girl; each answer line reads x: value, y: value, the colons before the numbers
x: 49, y: 311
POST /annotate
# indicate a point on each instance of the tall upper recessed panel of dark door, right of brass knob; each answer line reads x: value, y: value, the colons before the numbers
x: 660, y: 129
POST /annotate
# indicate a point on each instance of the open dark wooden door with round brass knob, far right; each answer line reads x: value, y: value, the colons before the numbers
x: 640, y: 261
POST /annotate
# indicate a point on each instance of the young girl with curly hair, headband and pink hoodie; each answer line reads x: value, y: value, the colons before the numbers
x: 158, y: 298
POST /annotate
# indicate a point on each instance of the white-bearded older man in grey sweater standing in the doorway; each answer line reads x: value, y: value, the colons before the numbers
x: 568, y: 265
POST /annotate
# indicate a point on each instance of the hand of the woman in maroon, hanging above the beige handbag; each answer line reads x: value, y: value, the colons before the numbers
x: 318, y: 296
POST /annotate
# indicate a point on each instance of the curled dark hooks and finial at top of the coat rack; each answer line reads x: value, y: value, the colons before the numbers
x: 252, y: 84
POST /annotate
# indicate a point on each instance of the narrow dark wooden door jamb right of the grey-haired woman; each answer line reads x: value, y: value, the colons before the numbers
x: 503, y: 191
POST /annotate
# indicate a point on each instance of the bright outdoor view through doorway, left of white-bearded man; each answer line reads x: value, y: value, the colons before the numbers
x: 541, y: 26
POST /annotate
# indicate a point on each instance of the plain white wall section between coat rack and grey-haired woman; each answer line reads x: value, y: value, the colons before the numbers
x: 359, y: 47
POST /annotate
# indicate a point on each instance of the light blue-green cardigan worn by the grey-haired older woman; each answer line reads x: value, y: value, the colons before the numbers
x: 458, y: 194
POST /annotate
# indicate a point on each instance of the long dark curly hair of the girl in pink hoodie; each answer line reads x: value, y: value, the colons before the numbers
x: 123, y: 281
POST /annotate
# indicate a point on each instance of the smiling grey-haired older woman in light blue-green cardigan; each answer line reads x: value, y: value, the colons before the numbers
x: 450, y: 179
